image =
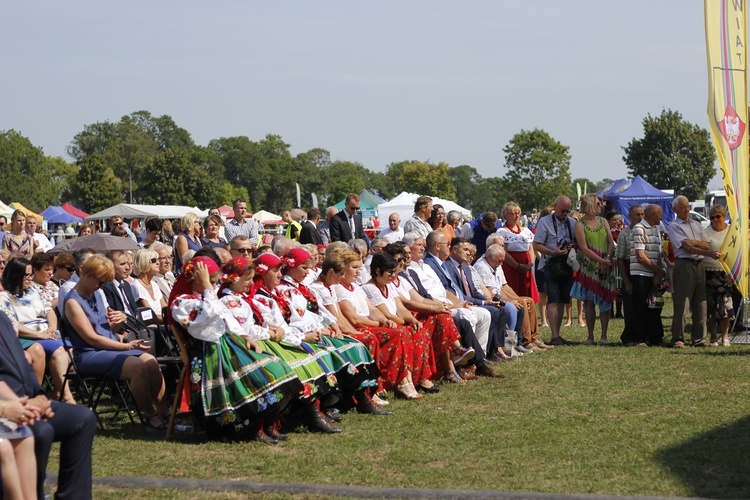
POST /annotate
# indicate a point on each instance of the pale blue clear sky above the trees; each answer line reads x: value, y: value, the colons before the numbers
x: 373, y: 82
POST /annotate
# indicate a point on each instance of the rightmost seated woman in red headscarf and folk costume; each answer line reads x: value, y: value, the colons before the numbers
x: 304, y: 307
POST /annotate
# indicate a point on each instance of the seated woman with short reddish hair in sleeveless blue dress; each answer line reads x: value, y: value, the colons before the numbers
x: 99, y: 351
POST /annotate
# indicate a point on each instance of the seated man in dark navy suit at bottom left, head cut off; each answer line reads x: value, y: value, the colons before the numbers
x: 73, y: 426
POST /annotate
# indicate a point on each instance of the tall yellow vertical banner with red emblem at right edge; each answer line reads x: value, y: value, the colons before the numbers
x: 726, y: 23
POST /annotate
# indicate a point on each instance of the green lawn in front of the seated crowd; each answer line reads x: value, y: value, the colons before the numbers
x: 577, y: 419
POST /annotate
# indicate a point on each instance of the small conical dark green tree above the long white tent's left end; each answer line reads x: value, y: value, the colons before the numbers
x: 96, y: 186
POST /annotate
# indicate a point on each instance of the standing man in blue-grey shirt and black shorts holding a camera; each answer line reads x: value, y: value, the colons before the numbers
x: 554, y: 239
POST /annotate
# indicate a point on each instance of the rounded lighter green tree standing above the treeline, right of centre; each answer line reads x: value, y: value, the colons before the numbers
x: 538, y: 168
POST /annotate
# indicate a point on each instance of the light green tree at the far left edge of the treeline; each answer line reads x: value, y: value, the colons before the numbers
x: 27, y: 175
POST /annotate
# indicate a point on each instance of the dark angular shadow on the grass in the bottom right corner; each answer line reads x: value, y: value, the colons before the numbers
x: 715, y: 464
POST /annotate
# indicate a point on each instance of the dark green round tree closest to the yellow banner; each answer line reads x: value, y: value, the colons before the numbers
x: 673, y: 154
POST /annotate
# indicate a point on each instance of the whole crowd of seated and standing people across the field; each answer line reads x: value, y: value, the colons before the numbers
x: 328, y: 318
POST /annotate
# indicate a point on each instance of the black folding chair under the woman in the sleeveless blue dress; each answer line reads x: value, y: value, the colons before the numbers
x: 90, y: 388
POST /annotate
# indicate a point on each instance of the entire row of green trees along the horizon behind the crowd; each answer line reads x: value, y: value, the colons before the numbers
x: 151, y: 160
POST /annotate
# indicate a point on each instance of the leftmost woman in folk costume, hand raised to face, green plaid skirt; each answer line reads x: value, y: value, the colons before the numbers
x: 235, y: 386
